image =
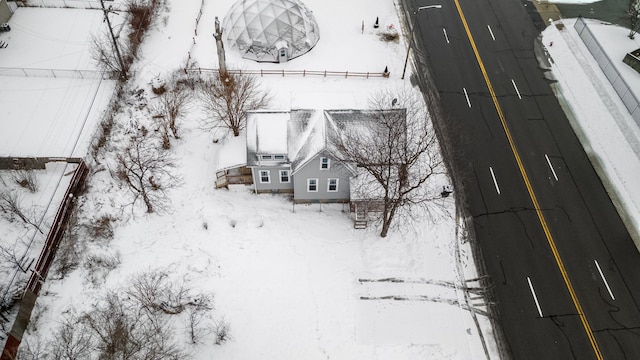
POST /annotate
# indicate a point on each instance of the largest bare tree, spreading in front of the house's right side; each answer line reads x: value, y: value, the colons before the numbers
x: 398, y: 151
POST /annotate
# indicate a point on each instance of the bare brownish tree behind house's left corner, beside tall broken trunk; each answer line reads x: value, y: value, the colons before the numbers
x: 227, y: 100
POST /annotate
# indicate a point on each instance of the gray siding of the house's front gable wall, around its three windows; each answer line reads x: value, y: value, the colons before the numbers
x: 311, y: 170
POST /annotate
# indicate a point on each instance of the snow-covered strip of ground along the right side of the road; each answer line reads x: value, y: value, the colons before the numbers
x: 605, y: 127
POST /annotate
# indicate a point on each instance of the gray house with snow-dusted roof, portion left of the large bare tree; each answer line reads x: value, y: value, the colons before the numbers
x: 293, y: 152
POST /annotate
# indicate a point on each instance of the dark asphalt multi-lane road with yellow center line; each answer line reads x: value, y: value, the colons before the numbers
x: 564, y: 271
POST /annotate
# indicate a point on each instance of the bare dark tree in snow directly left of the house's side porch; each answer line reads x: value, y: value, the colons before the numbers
x: 146, y: 170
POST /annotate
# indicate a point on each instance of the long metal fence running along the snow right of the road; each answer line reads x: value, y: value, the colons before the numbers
x: 623, y: 89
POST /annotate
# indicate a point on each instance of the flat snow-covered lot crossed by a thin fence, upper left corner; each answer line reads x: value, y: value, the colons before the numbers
x: 52, y: 93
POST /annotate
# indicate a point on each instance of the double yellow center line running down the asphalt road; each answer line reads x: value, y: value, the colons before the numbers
x: 532, y: 195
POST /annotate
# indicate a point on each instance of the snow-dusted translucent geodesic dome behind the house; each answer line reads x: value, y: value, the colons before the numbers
x: 268, y: 30
